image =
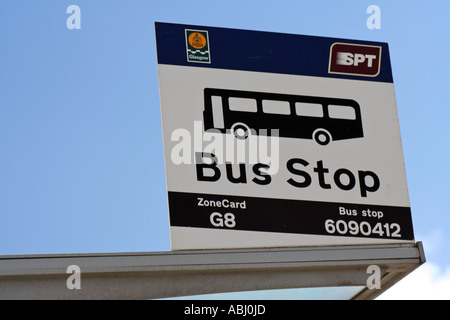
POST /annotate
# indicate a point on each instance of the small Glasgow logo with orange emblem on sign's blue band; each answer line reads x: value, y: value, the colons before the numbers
x: 197, y: 46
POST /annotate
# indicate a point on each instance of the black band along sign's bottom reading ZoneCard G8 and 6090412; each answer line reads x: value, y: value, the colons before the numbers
x: 289, y: 216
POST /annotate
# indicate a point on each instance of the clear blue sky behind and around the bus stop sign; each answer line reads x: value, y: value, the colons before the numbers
x: 81, y: 154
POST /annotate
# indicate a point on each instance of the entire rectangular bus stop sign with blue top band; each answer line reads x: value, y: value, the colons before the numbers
x: 275, y: 140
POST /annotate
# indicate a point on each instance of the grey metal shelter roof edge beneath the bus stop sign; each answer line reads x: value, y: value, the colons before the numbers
x: 153, y: 275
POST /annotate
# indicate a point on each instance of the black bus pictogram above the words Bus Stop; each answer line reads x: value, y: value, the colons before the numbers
x: 295, y: 116
